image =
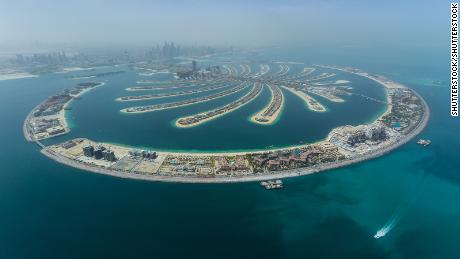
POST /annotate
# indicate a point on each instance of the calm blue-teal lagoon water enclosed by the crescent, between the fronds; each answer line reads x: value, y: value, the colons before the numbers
x: 97, y: 116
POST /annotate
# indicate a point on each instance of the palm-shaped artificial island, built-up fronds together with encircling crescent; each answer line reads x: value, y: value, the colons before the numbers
x: 405, y: 112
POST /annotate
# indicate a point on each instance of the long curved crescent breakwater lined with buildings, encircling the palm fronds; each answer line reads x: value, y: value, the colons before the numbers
x: 344, y: 146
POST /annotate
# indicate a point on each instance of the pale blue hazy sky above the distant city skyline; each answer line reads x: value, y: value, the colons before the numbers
x: 339, y: 22
